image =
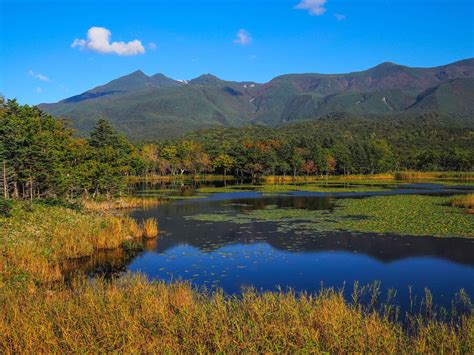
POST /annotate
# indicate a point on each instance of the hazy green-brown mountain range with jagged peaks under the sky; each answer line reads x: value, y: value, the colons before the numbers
x: 149, y: 107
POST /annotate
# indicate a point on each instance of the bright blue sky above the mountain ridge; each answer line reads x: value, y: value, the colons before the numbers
x: 235, y: 40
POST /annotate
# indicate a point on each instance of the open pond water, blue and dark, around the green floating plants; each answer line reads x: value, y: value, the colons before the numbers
x: 234, y: 254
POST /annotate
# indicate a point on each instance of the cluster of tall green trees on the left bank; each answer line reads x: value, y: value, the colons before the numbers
x: 40, y: 158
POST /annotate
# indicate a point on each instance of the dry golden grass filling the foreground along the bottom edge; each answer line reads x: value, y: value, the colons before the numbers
x: 135, y: 315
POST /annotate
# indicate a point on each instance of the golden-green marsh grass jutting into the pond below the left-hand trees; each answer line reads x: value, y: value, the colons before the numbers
x: 37, y: 239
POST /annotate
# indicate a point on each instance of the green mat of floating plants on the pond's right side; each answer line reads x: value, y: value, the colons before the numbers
x: 399, y: 214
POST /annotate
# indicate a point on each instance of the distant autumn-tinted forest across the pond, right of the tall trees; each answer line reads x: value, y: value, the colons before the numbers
x: 354, y: 146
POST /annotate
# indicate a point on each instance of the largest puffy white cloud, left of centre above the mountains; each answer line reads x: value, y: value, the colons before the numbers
x: 98, y: 40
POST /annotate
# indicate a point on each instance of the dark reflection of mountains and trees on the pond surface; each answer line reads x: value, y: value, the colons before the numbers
x: 177, y: 230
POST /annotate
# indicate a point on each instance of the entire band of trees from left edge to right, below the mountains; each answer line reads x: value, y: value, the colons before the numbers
x: 41, y: 157
